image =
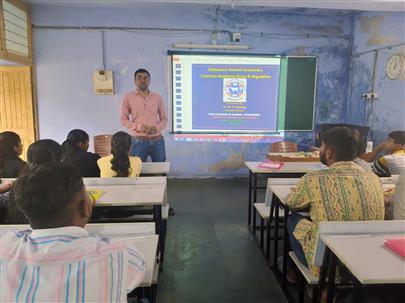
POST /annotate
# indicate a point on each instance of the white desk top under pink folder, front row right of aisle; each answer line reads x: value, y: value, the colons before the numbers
x: 288, y: 167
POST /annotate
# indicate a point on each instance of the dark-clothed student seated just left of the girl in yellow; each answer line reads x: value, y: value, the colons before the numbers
x: 75, y: 152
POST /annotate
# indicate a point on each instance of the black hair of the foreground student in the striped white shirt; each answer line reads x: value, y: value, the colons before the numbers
x: 43, y: 193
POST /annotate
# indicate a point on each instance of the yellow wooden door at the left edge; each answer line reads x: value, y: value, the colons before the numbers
x: 16, y: 103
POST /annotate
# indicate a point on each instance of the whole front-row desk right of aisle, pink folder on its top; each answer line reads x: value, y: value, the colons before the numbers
x: 289, y: 170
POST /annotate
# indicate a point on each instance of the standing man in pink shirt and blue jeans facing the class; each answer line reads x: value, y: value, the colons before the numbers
x: 144, y: 115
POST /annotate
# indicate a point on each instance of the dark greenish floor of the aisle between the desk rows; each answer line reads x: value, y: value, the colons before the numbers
x: 210, y: 256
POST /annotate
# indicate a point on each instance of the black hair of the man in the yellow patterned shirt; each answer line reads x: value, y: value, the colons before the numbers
x: 343, y: 141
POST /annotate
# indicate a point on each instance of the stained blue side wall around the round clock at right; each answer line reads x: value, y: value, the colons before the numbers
x: 374, y: 31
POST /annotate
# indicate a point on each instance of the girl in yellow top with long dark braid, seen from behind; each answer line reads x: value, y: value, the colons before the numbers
x: 119, y: 163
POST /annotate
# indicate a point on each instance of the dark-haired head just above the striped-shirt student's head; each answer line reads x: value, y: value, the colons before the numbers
x: 44, y: 151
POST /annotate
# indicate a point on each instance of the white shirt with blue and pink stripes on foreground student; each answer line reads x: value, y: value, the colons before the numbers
x: 67, y: 265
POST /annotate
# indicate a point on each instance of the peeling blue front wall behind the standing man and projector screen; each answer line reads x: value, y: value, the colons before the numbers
x: 65, y: 60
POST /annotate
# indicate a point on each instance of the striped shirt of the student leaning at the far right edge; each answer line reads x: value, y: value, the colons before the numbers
x: 390, y: 164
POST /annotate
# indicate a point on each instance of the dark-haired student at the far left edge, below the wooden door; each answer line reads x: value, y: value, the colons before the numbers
x: 10, y: 149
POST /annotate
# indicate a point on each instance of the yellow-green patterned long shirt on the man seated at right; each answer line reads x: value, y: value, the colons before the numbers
x: 344, y: 192
